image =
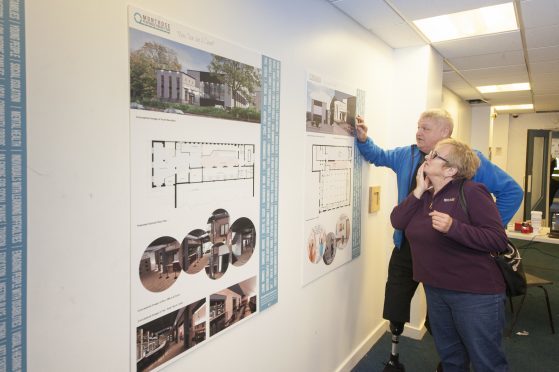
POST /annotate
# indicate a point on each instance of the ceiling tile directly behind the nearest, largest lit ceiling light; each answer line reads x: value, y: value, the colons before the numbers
x: 487, y: 44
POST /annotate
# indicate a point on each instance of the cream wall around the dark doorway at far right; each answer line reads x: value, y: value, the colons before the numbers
x: 517, y: 138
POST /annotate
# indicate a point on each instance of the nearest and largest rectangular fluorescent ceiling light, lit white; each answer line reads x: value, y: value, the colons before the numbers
x: 482, y: 21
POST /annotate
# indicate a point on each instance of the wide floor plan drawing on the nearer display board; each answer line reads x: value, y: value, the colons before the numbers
x: 176, y: 163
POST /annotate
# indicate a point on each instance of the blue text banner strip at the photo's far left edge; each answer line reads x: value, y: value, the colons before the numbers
x: 13, y: 203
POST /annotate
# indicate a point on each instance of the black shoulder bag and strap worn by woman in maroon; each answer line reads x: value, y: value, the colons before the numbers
x: 509, y: 261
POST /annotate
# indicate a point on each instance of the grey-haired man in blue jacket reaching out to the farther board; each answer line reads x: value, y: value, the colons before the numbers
x: 433, y: 125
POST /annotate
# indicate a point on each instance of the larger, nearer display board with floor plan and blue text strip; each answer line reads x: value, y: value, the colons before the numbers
x: 204, y: 118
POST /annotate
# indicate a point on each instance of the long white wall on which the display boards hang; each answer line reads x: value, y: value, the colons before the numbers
x: 78, y: 187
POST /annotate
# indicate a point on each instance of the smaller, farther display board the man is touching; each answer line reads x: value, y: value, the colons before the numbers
x: 332, y: 178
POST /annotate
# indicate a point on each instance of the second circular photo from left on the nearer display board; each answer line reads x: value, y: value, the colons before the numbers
x: 195, y: 251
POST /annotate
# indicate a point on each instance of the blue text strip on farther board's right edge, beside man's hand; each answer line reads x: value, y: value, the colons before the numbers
x: 357, y: 185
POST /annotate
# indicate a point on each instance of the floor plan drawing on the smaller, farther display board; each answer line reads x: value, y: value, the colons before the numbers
x: 334, y: 164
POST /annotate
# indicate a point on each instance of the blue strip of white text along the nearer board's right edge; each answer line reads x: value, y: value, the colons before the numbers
x: 269, y: 182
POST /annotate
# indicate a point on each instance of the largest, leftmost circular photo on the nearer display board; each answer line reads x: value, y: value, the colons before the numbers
x: 160, y: 264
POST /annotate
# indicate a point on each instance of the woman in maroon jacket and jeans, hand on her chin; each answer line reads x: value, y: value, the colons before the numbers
x: 451, y: 256
